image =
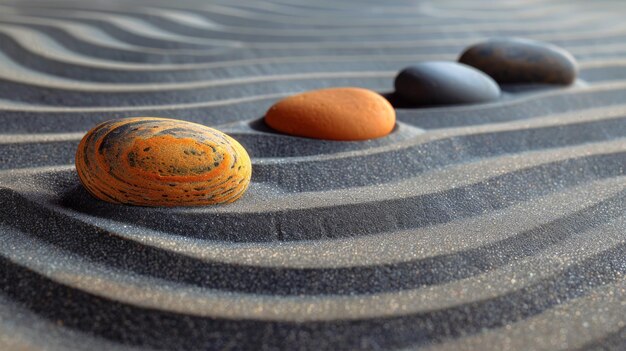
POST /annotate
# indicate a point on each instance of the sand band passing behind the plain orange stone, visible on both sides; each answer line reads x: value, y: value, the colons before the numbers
x: 21, y: 117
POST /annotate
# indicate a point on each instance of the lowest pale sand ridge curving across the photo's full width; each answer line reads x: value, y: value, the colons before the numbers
x: 216, y: 304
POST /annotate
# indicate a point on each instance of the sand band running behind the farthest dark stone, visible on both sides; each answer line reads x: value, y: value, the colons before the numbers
x: 69, y: 67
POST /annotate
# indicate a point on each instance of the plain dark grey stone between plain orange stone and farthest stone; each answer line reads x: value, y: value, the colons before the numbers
x: 444, y: 83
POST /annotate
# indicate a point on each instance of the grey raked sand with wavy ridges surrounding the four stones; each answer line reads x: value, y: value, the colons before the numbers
x: 490, y: 227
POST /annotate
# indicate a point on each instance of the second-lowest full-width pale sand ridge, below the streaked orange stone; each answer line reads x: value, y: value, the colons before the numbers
x: 399, y: 245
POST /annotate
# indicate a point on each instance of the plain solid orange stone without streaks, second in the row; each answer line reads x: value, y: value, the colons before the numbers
x: 333, y: 114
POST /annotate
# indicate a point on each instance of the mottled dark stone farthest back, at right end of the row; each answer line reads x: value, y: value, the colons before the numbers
x: 522, y: 61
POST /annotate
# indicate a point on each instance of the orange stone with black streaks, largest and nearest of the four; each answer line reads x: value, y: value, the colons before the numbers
x: 162, y: 162
